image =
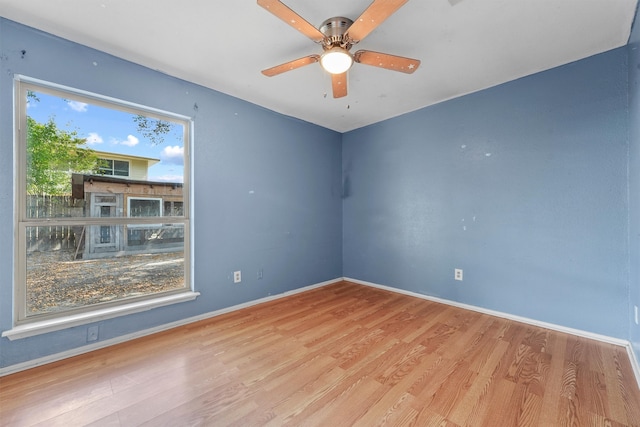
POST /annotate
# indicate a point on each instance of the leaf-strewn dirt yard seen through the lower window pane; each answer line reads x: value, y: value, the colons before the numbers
x: 54, y: 282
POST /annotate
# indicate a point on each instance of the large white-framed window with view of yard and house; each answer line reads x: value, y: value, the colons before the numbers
x: 89, y: 240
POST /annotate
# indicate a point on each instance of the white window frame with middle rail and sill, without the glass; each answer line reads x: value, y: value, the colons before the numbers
x: 25, y: 326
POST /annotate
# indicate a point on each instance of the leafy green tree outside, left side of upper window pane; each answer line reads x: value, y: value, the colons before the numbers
x: 52, y: 155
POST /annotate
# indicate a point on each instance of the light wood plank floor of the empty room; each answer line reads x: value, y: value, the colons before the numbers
x: 340, y: 355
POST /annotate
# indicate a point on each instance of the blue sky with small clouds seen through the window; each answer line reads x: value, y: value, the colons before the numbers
x: 113, y: 131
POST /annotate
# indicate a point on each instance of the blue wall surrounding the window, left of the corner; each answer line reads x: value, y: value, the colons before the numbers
x: 267, y: 187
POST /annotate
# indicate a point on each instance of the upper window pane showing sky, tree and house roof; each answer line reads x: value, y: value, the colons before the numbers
x: 77, y: 150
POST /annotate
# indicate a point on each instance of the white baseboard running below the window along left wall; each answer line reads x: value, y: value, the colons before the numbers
x: 128, y: 337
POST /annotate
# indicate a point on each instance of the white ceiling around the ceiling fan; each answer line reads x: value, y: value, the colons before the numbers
x: 464, y: 46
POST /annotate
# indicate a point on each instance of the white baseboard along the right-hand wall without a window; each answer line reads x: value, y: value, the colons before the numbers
x: 577, y: 332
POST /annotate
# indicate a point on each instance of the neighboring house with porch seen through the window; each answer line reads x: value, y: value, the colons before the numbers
x: 122, y: 190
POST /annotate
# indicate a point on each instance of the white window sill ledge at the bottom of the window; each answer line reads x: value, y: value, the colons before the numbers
x: 51, y: 325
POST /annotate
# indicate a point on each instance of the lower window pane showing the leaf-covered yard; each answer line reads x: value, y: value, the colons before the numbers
x: 64, y: 278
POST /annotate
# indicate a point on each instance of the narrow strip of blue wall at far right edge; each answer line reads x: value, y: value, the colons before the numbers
x: 634, y: 181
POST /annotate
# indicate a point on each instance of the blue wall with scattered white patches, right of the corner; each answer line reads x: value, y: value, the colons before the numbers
x: 523, y: 186
